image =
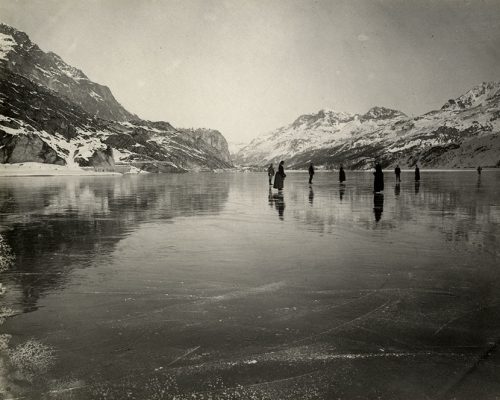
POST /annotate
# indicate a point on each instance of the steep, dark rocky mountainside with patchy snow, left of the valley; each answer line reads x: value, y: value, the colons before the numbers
x: 51, y: 112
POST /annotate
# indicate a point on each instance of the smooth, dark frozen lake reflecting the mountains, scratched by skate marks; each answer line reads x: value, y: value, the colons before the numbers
x: 208, y: 286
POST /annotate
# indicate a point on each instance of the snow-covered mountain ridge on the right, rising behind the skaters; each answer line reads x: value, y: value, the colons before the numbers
x: 463, y: 133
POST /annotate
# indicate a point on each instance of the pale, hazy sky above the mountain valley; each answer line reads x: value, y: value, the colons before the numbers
x: 249, y: 66
